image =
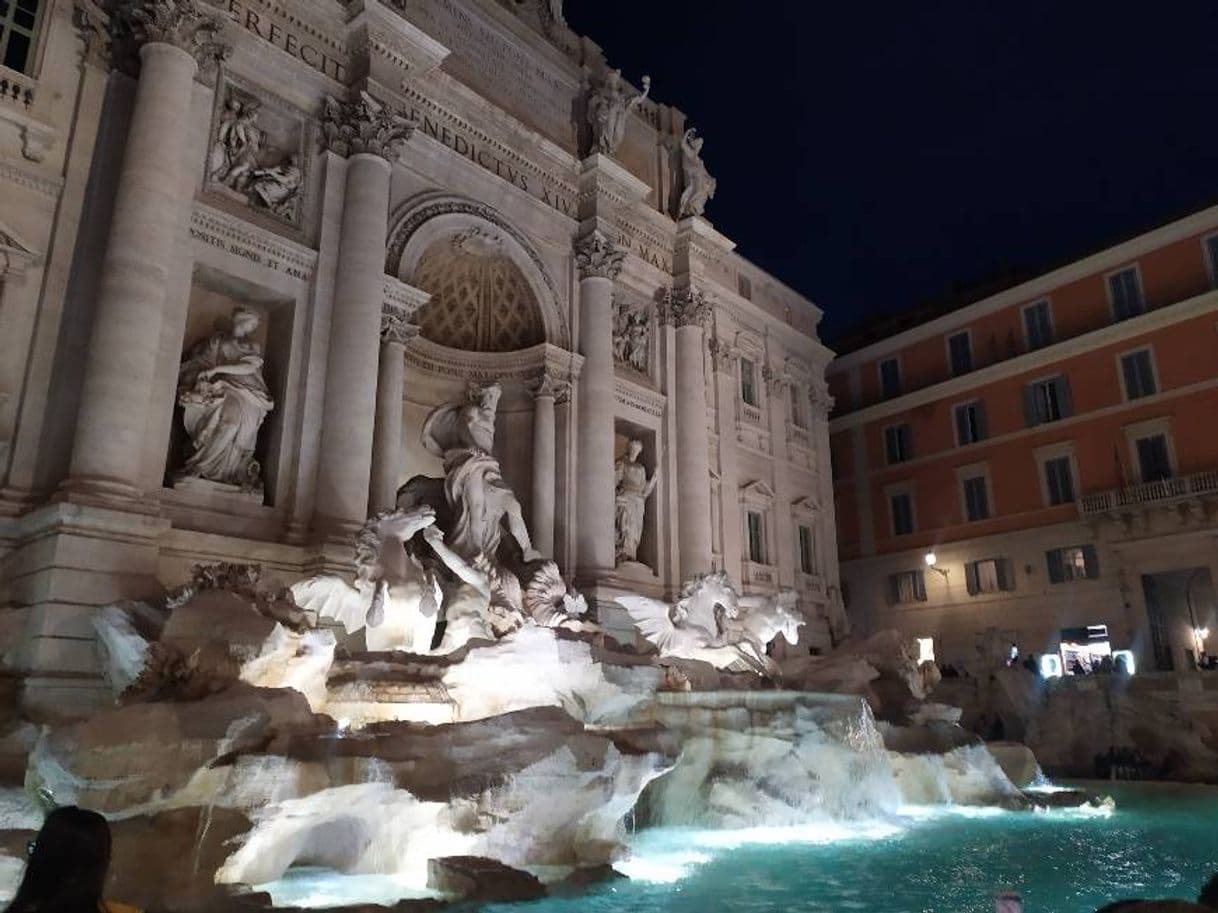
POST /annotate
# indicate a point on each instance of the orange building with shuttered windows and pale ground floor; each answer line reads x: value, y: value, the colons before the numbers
x: 1054, y: 447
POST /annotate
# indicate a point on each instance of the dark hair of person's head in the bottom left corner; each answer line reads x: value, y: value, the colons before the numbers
x: 68, y: 865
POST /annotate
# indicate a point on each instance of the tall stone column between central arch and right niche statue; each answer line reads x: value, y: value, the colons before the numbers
x: 599, y: 262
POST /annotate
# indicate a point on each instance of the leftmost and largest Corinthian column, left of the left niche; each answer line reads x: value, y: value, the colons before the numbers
x: 126, y: 341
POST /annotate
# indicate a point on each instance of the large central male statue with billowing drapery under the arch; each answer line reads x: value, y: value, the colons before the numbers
x: 482, y: 503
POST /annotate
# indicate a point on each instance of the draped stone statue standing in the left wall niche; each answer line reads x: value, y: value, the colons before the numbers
x: 225, y: 401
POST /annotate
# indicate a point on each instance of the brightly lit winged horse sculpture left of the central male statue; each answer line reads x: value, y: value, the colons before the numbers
x: 398, y: 582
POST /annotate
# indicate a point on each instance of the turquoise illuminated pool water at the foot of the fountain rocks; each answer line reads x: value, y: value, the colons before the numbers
x: 1161, y: 842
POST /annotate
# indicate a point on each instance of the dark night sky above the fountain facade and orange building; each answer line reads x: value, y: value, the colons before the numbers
x: 879, y: 156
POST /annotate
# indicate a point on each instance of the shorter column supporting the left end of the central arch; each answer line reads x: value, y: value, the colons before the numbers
x: 396, y: 335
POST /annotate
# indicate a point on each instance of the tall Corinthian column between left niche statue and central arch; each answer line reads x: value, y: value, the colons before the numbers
x: 368, y: 136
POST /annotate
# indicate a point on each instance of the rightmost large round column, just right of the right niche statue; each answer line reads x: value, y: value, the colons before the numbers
x: 689, y: 310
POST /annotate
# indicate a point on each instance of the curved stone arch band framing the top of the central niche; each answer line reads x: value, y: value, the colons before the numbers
x: 423, y: 223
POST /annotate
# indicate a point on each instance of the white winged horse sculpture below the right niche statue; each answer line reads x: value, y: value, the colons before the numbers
x: 707, y: 625
